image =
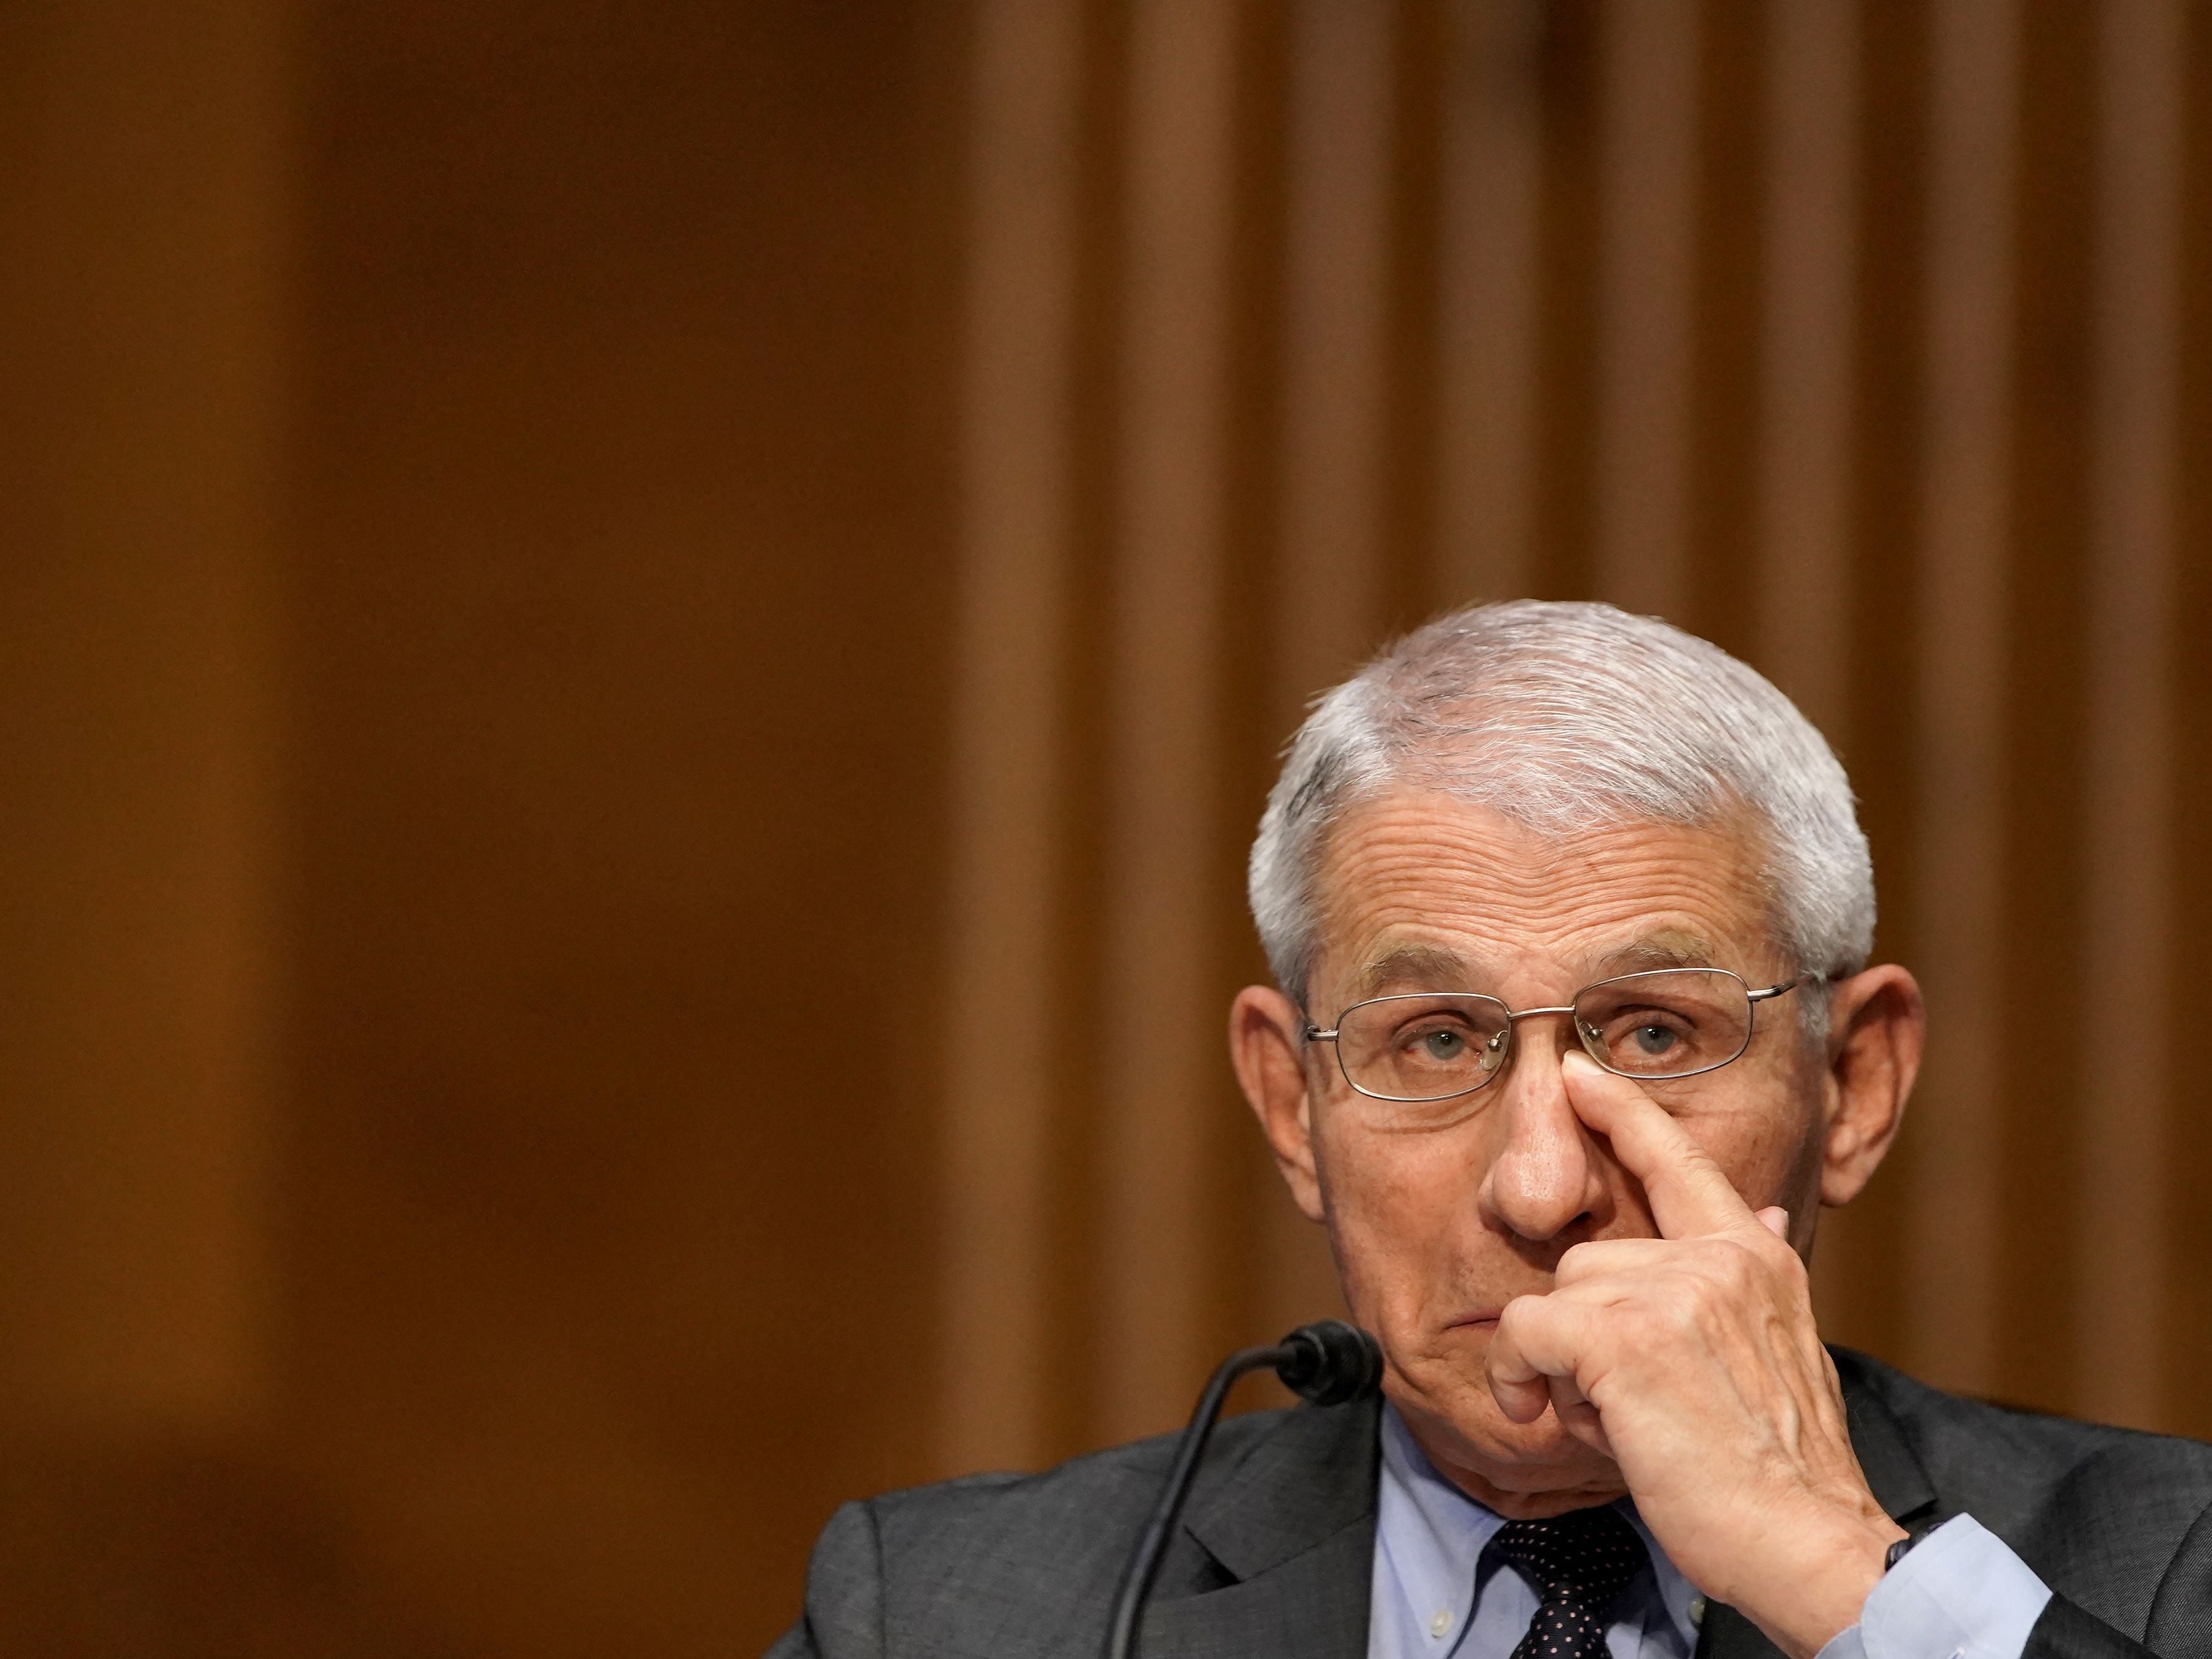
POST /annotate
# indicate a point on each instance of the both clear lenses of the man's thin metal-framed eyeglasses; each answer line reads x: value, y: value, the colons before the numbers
x: 1669, y: 1023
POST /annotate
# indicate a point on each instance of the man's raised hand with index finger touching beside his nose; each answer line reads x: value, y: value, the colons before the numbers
x: 1693, y: 1361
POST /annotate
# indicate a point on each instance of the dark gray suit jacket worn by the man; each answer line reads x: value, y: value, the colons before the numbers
x: 1277, y: 1541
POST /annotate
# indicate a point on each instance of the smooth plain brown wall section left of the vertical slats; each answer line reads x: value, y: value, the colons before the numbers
x: 479, y: 525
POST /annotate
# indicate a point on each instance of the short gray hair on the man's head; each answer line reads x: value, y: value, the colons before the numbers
x: 1567, y: 718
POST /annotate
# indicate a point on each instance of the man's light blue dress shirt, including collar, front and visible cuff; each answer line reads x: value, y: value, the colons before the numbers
x: 1959, y: 1594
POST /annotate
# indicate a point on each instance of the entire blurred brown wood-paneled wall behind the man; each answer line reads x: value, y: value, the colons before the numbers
x: 638, y: 649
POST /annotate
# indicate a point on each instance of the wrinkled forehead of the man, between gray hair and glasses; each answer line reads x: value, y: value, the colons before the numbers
x: 1421, y: 890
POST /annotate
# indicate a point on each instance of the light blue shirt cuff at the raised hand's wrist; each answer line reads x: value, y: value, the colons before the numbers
x: 1959, y: 1594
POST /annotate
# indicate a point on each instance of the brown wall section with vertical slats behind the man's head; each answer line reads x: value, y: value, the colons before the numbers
x: 1866, y: 340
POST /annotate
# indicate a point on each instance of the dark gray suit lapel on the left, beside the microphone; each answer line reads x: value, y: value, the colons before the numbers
x: 1293, y: 1530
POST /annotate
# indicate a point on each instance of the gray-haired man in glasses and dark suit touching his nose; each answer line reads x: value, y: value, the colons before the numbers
x: 1572, y: 1039
